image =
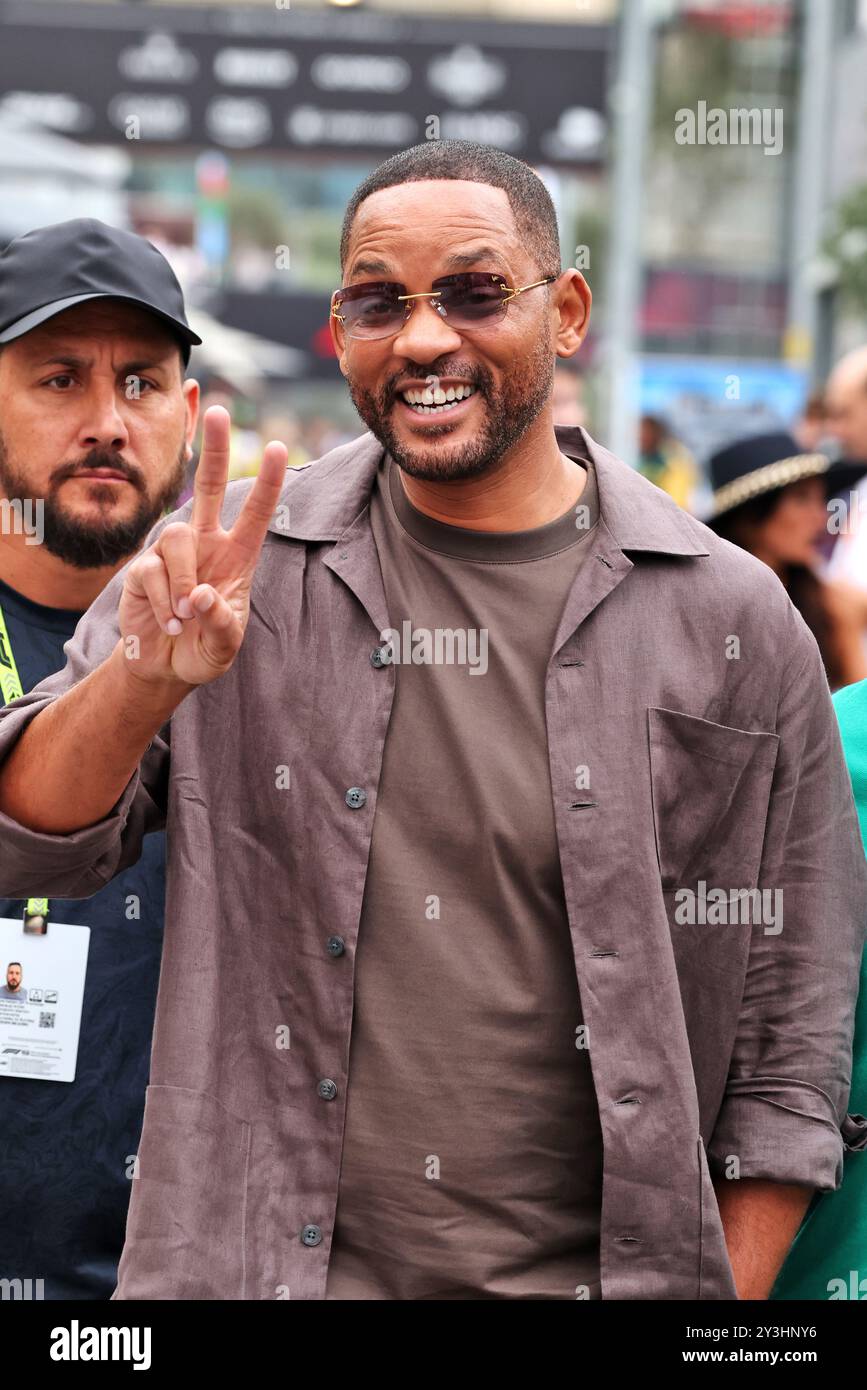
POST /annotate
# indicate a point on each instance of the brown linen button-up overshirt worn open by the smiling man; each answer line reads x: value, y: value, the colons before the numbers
x: 688, y: 686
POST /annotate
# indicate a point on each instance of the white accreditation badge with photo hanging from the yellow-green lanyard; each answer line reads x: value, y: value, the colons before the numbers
x: 42, y: 992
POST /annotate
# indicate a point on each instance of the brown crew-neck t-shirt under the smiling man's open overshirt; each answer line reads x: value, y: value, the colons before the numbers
x: 472, y: 1159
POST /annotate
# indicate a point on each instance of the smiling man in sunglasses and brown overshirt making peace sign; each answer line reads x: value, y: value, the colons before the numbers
x: 477, y: 1053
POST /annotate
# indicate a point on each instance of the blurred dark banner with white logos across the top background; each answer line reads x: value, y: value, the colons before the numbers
x: 331, y: 81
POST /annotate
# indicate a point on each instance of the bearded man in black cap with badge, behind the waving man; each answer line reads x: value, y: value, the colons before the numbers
x: 97, y: 427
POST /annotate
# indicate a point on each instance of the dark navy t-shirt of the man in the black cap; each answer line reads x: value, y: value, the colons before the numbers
x: 67, y: 1149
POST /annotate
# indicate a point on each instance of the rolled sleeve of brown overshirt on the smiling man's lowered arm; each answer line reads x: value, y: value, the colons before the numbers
x: 784, y: 1115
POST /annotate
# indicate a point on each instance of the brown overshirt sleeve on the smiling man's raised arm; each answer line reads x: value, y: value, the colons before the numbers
x: 80, y: 864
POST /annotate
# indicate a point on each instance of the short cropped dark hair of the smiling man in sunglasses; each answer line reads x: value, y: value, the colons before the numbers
x: 530, y: 201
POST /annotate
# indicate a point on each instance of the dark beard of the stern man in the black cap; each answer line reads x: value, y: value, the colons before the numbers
x: 90, y: 546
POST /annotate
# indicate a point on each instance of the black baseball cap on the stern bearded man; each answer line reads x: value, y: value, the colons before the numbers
x: 56, y: 268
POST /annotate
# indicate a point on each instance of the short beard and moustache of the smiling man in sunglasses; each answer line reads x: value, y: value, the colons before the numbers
x: 523, y: 394
